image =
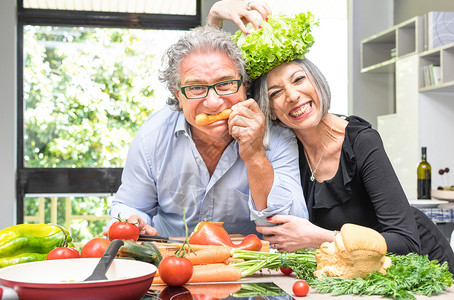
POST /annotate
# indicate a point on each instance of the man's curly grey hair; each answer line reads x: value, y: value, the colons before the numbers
x: 201, y: 39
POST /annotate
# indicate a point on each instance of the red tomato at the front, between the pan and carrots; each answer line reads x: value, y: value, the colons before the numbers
x: 175, y: 271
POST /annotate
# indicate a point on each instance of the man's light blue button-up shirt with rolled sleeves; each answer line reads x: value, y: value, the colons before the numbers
x: 163, y: 162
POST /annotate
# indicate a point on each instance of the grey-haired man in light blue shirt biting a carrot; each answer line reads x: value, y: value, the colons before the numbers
x: 213, y: 169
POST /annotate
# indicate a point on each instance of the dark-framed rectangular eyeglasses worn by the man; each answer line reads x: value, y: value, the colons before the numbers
x: 223, y: 88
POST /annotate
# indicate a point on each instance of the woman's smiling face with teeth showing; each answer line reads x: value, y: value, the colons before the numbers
x: 294, y: 100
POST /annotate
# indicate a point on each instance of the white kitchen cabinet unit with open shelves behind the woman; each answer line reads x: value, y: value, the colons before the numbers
x: 423, y: 115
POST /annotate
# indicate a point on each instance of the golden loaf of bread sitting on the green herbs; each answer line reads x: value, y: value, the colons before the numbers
x: 355, y: 252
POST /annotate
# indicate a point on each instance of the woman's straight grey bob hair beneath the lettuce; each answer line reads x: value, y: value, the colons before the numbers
x: 314, y: 75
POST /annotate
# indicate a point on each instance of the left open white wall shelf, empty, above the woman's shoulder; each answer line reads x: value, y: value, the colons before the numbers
x: 380, y: 51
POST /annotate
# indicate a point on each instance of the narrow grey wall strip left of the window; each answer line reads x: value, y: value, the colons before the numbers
x: 7, y: 112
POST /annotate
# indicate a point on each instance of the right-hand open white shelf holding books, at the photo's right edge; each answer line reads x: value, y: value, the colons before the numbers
x: 443, y: 57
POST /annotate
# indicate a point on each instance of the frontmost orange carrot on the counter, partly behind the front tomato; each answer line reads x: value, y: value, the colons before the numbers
x: 210, y: 273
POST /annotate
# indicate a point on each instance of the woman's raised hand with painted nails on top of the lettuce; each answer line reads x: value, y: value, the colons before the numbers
x: 238, y: 11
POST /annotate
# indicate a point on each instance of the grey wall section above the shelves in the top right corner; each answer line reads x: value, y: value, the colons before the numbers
x: 406, y: 9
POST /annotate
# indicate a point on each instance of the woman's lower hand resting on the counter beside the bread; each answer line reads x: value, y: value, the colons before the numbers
x: 294, y: 233
